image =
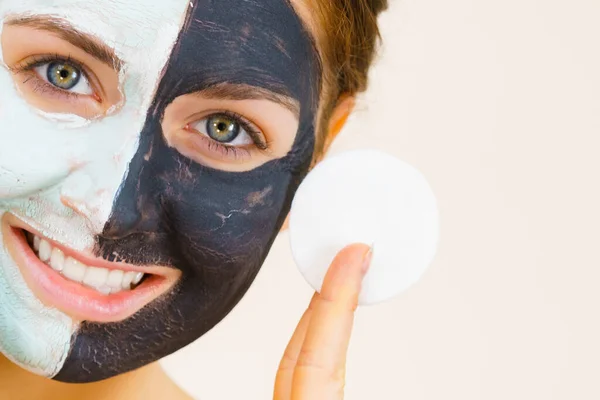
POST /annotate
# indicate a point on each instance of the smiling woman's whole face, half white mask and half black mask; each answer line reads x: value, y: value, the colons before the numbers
x: 149, y: 154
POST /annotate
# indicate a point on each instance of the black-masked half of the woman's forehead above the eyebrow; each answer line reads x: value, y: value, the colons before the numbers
x: 261, y: 44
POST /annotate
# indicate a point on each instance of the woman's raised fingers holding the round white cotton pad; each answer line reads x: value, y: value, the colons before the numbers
x: 314, y: 364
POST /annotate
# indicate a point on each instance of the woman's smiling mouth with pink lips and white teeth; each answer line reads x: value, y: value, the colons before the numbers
x: 83, y: 287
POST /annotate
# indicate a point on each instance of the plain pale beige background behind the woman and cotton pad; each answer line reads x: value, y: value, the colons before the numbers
x: 498, y: 104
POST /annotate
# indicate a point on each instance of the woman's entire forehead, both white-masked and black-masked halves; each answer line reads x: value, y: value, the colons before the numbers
x: 261, y: 43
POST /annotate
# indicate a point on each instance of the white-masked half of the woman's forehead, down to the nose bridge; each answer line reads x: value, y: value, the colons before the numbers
x: 141, y: 33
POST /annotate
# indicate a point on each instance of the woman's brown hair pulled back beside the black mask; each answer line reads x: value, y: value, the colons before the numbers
x: 347, y: 35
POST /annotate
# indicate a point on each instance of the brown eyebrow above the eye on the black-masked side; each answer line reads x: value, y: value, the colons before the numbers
x: 229, y: 91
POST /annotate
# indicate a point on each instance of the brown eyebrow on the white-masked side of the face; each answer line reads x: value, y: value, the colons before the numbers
x: 64, y: 30
